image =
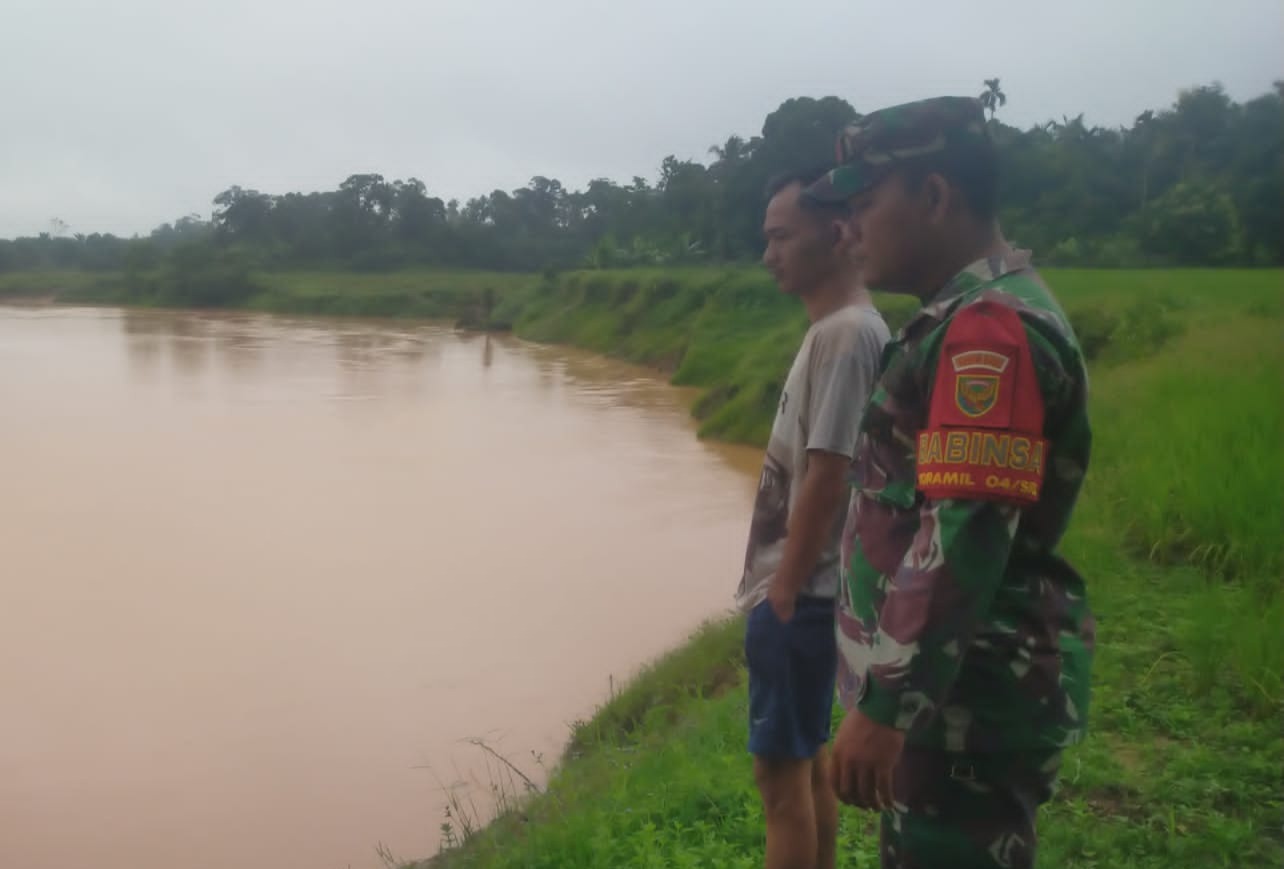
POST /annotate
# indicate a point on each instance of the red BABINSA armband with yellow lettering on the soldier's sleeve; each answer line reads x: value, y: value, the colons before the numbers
x: 984, y: 437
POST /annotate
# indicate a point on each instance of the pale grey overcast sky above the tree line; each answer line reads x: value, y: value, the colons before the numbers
x: 120, y: 115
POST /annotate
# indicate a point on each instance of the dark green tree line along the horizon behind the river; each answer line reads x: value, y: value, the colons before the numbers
x: 1197, y: 184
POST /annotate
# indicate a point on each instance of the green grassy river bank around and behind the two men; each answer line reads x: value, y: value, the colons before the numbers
x: 1177, y: 533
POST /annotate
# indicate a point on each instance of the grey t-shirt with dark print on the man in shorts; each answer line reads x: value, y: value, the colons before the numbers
x: 821, y: 408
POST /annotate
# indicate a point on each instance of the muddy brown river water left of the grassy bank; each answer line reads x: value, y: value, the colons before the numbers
x: 264, y: 577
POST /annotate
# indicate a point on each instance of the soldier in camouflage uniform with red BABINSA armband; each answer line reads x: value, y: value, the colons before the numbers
x: 965, y: 640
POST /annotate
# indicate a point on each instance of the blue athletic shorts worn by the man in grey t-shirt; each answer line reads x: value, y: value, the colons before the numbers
x: 792, y: 678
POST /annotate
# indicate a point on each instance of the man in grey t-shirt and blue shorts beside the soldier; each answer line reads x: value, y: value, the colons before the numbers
x: 792, y: 562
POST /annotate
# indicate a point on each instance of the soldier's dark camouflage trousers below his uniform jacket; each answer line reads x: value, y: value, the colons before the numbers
x: 966, y: 811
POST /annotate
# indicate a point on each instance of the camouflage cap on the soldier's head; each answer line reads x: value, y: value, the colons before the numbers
x: 871, y: 148
